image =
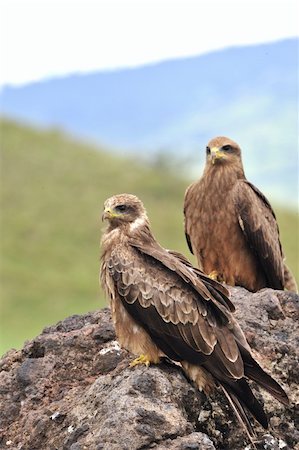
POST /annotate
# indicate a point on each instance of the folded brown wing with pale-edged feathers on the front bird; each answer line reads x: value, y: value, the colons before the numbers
x: 182, y: 323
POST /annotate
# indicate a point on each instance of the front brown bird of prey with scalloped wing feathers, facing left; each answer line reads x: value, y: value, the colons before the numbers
x: 162, y: 306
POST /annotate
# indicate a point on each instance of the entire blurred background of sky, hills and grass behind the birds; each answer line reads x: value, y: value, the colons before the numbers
x: 104, y: 97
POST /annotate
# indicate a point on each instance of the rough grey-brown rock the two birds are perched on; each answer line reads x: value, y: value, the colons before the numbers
x: 71, y: 388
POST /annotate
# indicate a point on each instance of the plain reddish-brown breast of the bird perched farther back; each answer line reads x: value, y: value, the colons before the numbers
x: 216, y: 236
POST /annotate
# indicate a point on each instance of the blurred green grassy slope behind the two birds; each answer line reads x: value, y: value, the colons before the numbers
x: 52, y: 194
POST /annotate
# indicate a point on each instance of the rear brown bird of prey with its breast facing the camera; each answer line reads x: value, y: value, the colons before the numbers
x: 230, y: 226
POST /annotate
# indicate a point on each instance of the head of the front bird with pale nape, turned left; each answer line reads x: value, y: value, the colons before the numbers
x: 124, y: 209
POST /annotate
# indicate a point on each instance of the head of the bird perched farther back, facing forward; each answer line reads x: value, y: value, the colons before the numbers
x: 222, y: 150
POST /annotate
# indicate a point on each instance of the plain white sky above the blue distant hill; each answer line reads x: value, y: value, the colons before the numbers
x: 46, y: 38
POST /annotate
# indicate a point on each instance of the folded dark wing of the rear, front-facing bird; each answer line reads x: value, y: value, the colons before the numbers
x: 258, y: 223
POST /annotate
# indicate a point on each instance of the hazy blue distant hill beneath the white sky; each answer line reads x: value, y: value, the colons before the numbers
x: 248, y: 93
